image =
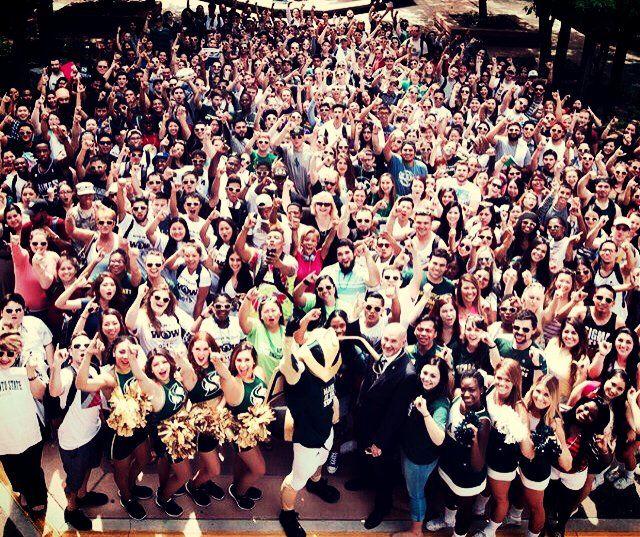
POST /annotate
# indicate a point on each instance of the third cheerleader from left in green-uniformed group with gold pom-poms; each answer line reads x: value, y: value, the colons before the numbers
x: 207, y: 390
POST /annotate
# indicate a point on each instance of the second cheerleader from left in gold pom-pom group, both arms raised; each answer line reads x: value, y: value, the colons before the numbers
x: 166, y: 381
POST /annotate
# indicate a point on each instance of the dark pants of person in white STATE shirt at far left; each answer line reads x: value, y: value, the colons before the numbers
x: 26, y: 476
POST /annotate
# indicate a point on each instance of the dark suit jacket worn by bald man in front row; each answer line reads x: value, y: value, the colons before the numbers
x: 383, y: 403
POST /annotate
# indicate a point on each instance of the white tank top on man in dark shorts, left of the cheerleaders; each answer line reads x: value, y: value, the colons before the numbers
x: 82, y: 421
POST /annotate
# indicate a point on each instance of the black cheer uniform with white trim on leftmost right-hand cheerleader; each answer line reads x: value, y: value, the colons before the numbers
x: 455, y: 461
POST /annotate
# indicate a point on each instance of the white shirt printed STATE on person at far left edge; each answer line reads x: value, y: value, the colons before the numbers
x: 19, y: 427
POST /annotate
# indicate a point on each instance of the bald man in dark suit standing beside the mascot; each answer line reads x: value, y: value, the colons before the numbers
x: 384, y: 398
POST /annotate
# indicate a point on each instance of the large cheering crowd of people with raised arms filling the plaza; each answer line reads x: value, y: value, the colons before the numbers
x: 207, y: 194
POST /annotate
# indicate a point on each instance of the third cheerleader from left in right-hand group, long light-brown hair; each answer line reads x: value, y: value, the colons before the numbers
x: 543, y: 411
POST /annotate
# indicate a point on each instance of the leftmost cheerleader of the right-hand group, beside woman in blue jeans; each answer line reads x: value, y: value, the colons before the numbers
x: 462, y: 463
